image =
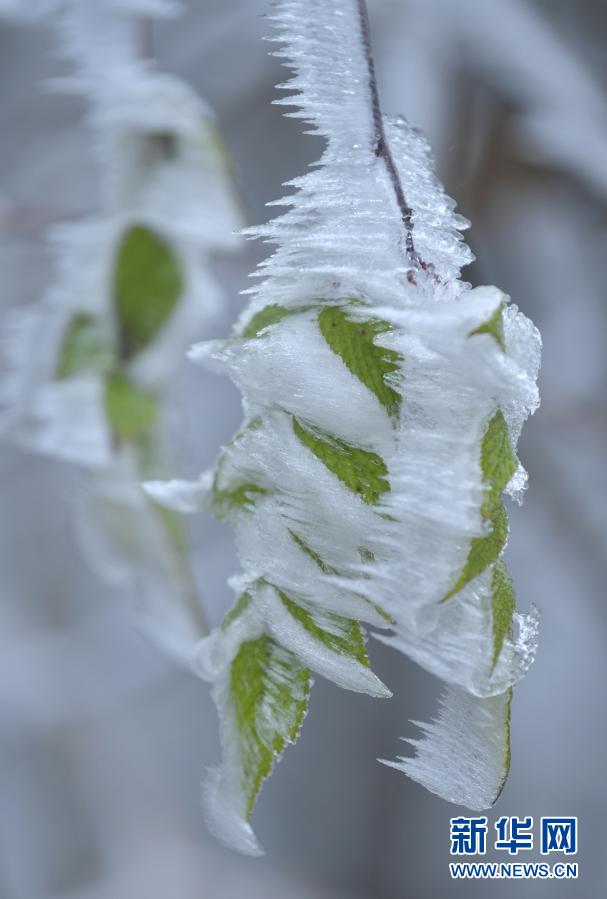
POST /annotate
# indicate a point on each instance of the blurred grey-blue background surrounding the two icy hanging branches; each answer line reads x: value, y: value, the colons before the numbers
x: 103, y: 742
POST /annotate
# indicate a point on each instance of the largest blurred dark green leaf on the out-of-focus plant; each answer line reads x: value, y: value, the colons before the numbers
x: 147, y: 286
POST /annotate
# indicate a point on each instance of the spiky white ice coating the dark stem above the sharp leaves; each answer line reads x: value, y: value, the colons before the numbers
x: 351, y: 241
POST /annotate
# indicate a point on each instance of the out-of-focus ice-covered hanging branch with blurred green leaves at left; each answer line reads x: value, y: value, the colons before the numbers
x: 90, y: 368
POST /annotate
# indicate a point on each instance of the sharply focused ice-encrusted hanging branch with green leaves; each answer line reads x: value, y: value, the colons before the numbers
x: 383, y: 399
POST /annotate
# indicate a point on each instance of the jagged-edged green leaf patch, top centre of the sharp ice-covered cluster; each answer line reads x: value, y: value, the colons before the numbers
x: 353, y: 342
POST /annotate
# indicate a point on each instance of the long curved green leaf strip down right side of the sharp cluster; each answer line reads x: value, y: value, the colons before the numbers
x: 498, y: 464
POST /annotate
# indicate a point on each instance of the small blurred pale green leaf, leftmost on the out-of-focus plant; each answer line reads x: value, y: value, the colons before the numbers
x: 85, y: 348
